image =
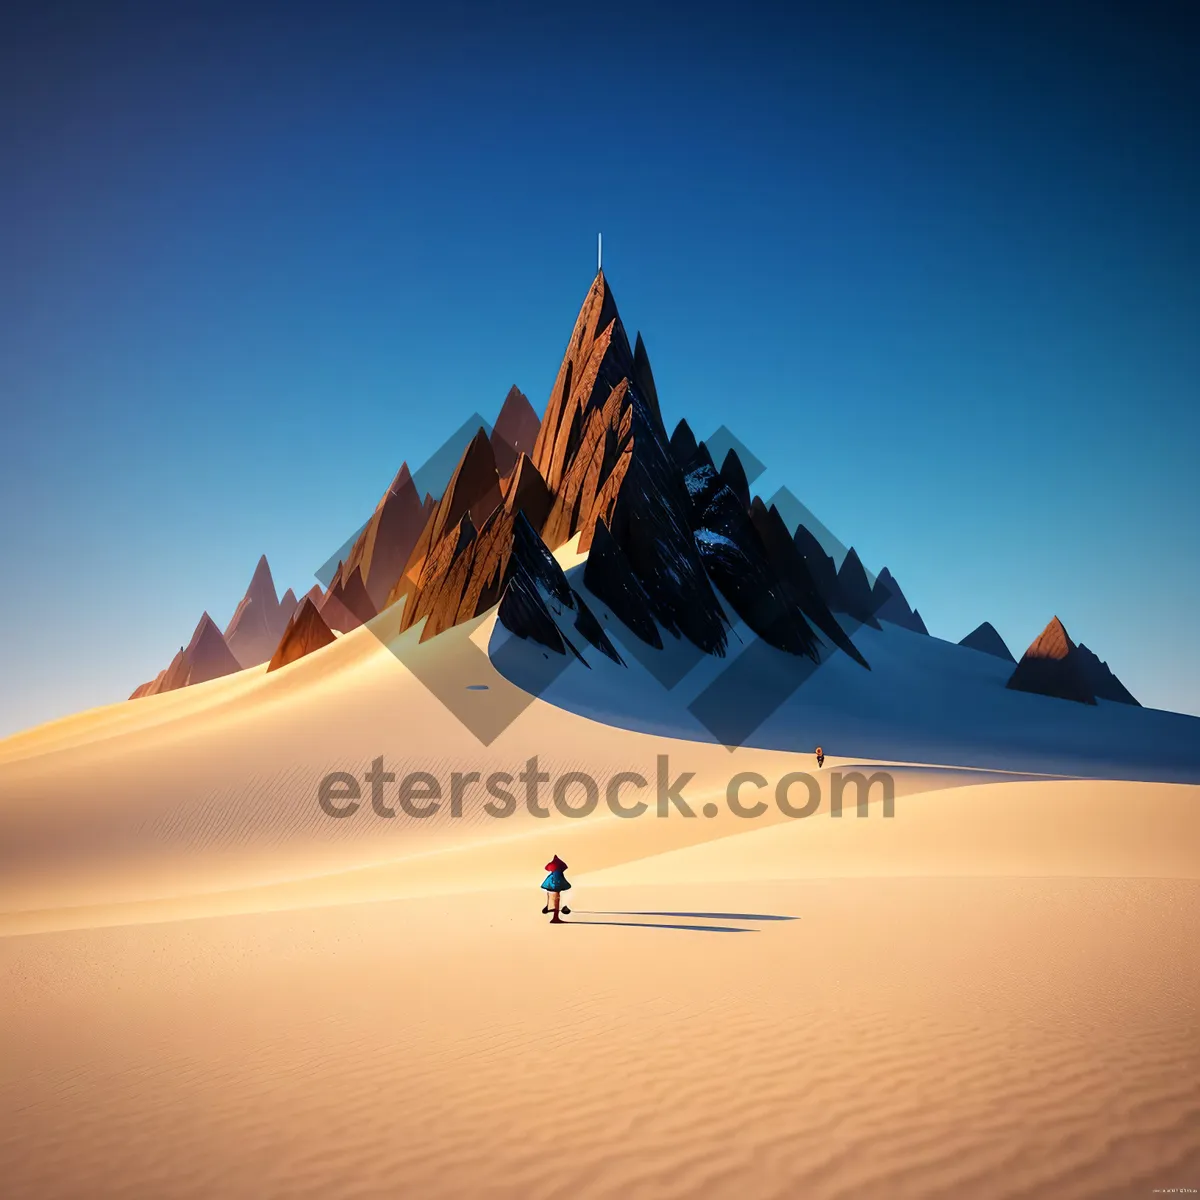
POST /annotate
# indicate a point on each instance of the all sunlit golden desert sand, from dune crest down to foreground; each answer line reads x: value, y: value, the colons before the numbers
x: 214, y: 989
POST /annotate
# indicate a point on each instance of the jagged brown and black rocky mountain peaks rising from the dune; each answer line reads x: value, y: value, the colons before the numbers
x: 679, y: 547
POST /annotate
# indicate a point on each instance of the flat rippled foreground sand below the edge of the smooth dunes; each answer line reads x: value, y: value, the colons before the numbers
x: 898, y: 1037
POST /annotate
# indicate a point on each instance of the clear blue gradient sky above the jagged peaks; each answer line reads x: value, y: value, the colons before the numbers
x: 938, y: 266
